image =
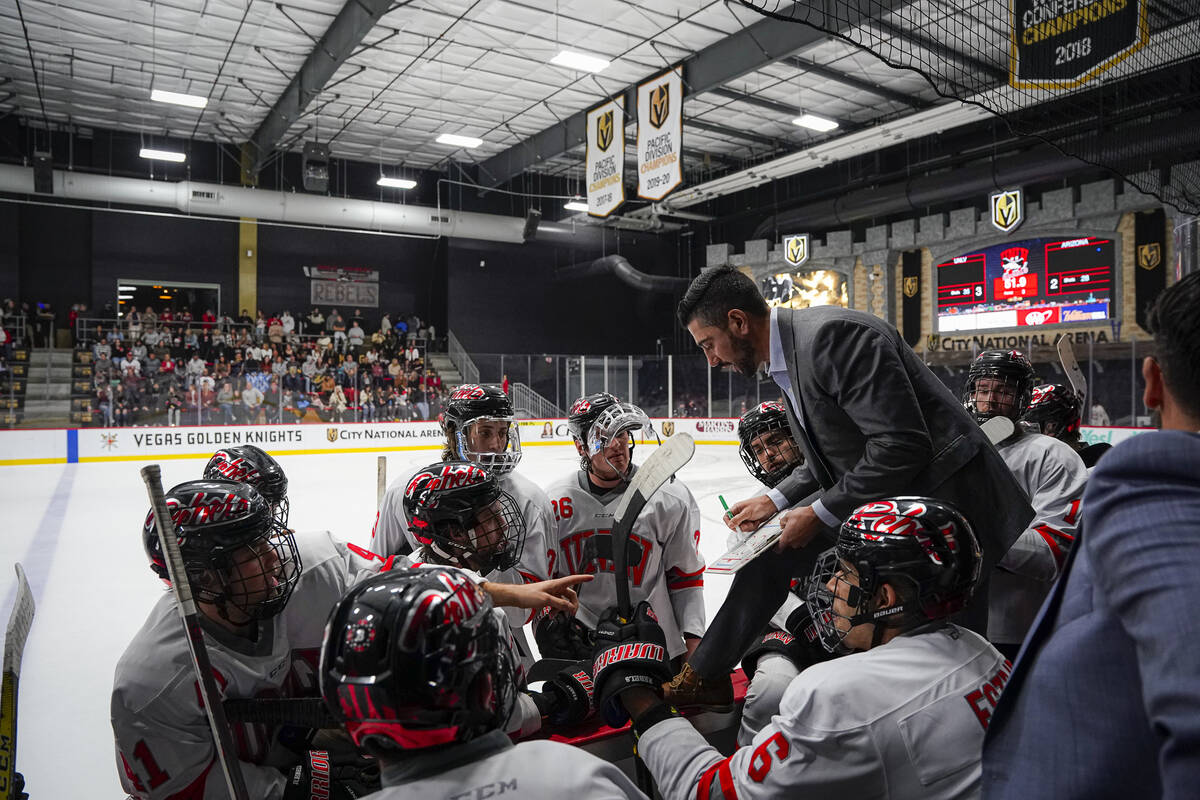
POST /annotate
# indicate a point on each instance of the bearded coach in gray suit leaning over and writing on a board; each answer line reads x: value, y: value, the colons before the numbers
x: 872, y: 420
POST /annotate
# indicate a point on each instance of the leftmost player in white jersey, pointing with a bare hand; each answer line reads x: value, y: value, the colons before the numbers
x: 263, y: 596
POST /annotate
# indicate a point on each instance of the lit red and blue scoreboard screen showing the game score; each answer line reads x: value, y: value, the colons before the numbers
x: 1034, y: 282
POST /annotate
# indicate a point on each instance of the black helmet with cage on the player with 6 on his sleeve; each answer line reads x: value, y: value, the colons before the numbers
x: 925, y: 548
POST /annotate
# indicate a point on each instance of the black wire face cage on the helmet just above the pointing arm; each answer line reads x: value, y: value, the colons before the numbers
x: 500, y: 526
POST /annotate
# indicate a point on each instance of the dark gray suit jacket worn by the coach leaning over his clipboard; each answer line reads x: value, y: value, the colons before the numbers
x: 879, y: 424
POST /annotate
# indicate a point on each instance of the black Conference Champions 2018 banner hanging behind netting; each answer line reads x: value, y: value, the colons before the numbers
x: 1065, y: 45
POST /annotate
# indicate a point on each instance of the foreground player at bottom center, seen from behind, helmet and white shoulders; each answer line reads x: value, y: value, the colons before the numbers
x: 417, y: 667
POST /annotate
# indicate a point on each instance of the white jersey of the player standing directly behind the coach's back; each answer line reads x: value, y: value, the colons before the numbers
x: 1054, y: 478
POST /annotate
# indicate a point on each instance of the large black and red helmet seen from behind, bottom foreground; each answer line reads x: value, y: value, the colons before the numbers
x: 416, y: 659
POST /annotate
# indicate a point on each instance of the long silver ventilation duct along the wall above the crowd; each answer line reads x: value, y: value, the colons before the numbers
x: 219, y: 201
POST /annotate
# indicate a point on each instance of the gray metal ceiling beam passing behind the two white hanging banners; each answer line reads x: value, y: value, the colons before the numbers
x: 739, y: 55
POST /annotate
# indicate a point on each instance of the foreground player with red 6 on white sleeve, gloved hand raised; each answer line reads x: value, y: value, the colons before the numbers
x: 902, y: 715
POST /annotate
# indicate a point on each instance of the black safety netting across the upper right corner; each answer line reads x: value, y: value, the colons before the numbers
x: 1115, y: 83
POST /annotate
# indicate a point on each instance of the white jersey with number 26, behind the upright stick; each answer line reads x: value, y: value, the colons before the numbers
x: 665, y: 567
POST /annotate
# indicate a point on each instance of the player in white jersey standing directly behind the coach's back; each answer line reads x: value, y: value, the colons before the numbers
x: 1000, y: 383
